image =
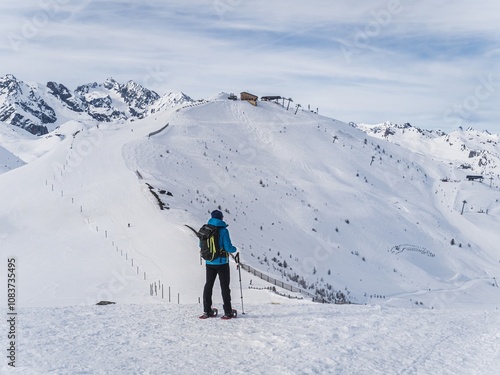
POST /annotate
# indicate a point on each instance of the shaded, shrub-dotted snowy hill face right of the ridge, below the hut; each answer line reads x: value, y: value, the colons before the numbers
x: 307, y: 202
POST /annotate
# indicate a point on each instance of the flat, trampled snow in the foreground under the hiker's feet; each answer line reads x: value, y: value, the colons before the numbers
x: 268, y: 339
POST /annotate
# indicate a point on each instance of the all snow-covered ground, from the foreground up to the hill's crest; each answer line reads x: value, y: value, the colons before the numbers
x: 309, y: 200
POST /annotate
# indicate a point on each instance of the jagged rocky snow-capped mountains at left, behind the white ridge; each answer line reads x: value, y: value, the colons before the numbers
x: 41, y: 108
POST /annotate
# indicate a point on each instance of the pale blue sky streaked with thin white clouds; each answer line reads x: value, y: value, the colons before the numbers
x: 434, y: 64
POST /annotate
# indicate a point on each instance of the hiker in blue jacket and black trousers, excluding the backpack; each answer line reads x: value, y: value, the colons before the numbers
x: 219, y: 266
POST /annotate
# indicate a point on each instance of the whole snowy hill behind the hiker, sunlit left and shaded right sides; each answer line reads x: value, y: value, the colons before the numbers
x: 310, y: 200
